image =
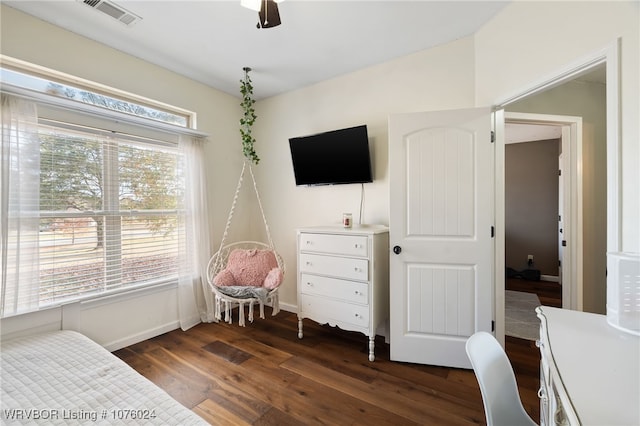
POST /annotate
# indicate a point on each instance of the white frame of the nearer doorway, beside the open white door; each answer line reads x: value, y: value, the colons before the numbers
x: 610, y: 57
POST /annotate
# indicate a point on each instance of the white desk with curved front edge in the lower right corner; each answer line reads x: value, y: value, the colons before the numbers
x: 589, y: 370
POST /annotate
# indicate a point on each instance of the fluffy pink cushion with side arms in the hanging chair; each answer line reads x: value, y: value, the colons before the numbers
x: 257, y: 268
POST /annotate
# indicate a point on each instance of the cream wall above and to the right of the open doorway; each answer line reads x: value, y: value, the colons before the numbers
x: 531, y: 41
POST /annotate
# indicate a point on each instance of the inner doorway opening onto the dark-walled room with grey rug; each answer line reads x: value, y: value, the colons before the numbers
x: 533, y: 228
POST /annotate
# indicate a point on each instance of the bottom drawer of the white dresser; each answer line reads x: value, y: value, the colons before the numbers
x: 330, y: 309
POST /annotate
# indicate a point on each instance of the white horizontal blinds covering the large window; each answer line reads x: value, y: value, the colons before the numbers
x: 111, y: 211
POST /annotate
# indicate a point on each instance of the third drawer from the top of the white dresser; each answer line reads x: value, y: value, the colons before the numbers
x: 348, y: 291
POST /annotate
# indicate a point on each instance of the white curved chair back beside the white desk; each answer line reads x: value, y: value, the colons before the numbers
x: 502, y: 404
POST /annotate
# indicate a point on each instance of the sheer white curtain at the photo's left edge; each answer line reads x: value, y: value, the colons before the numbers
x: 19, y: 206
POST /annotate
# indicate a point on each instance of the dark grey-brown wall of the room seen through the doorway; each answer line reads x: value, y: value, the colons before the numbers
x: 531, y: 205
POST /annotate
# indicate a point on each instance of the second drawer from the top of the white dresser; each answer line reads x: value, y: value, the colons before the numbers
x: 340, y: 267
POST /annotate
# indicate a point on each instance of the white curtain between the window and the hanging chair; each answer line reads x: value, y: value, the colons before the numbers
x: 195, y: 299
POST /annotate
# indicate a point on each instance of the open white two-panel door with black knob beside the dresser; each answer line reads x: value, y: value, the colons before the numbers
x: 441, y: 233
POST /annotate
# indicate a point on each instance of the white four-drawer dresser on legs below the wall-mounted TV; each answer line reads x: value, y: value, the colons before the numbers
x: 343, y: 278
